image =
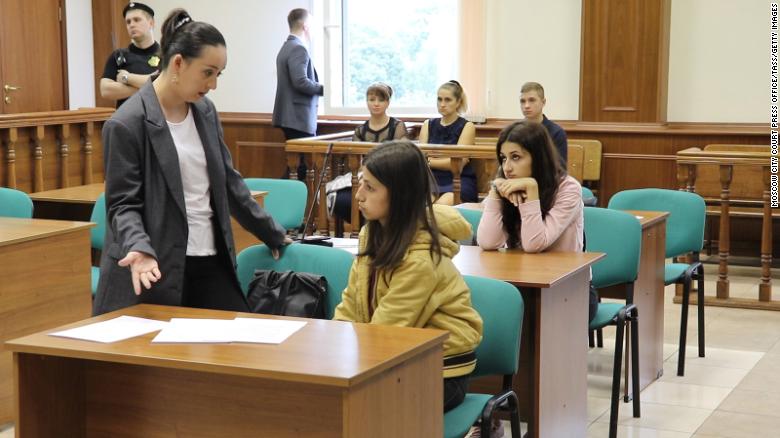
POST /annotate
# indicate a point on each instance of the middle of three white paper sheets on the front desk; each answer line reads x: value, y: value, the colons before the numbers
x: 196, y: 330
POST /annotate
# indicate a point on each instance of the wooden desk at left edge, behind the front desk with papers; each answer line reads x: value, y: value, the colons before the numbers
x: 45, y: 283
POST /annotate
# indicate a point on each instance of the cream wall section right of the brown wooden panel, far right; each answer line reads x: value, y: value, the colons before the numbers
x: 719, y: 61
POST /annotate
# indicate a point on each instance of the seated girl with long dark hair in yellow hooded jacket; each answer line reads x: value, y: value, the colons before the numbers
x: 404, y: 274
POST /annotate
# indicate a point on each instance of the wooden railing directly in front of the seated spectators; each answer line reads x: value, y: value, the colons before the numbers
x: 348, y: 156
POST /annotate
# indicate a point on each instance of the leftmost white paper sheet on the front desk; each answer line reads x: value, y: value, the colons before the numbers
x: 113, y: 330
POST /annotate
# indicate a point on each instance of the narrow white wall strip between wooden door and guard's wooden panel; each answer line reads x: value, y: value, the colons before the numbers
x: 81, y: 89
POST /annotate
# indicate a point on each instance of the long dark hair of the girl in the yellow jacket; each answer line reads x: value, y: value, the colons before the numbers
x: 401, y: 167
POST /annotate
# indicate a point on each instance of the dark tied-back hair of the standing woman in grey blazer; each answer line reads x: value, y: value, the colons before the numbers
x: 182, y: 35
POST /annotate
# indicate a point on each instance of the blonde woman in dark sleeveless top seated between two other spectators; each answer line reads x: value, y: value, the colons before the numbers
x: 451, y: 128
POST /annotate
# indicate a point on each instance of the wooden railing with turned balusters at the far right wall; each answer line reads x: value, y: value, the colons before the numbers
x: 698, y: 170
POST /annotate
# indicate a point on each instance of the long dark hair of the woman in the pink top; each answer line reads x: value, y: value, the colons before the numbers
x: 545, y: 169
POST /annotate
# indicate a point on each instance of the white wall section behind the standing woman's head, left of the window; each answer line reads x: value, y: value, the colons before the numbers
x: 254, y: 31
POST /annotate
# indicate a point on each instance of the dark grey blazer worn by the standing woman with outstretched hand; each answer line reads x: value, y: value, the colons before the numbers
x: 145, y: 199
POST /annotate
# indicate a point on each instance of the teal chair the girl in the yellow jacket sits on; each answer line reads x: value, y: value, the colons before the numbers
x: 501, y: 308
